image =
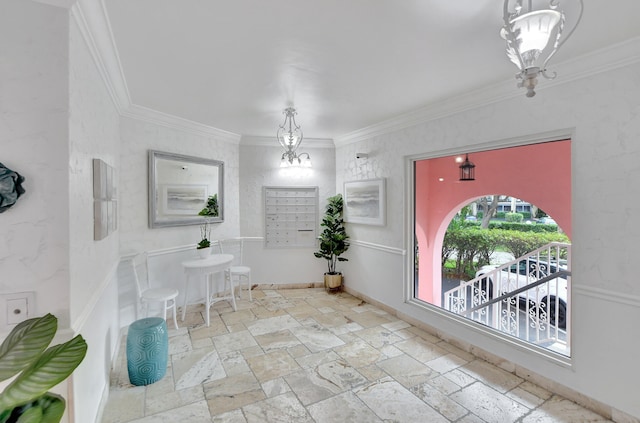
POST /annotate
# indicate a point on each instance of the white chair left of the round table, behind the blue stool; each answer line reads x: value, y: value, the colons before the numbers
x: 146, y: 294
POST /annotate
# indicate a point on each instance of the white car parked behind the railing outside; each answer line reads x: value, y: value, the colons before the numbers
x: 523, y: 273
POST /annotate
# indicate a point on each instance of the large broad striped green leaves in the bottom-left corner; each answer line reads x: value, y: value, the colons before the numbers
x: 24, y: 353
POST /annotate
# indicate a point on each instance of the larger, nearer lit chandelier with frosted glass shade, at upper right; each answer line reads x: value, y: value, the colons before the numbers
x: 533, y: 33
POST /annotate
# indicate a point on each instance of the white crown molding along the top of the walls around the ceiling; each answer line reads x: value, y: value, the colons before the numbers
x: 95, y: 27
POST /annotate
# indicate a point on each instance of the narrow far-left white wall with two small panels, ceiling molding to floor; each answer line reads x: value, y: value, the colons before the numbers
x: 93, y: 133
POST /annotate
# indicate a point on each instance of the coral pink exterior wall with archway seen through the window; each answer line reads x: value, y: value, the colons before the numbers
x: 539, y: 174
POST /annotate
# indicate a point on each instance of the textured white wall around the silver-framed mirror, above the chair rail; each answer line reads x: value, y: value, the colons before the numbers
x: 137, y: 138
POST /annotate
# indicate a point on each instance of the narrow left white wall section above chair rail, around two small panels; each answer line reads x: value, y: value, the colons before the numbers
x: 93, y: 133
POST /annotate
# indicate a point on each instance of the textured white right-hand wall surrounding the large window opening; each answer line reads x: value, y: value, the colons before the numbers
x: 605, y: 114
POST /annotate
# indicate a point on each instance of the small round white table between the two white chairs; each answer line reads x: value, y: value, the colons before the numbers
x: 206, y: 268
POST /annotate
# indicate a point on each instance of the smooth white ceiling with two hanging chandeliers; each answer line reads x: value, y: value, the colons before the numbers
x: 343, y: 64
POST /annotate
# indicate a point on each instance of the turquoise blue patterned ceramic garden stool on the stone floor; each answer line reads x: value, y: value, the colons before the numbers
x: 147, y: 350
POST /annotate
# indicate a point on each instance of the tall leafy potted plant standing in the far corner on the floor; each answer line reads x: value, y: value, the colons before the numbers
x: 334, y: 240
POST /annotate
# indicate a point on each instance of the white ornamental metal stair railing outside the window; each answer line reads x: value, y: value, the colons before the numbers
x: 528, y: 298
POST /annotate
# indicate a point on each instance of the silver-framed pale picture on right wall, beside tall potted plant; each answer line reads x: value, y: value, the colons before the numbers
x: 365, y: 202
